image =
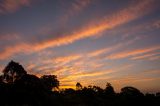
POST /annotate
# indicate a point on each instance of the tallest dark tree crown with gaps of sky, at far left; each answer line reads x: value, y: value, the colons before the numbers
x: 12, y: 72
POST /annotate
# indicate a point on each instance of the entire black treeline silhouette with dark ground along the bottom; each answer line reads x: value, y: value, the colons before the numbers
x: 17, y: 88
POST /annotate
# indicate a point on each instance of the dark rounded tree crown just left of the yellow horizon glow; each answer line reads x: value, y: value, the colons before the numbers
x: 50, y: 81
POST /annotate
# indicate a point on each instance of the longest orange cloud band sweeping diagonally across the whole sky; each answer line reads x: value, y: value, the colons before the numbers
x: 92, y: 29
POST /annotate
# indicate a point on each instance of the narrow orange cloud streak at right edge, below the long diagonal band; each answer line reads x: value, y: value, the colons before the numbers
x: 126, y: 54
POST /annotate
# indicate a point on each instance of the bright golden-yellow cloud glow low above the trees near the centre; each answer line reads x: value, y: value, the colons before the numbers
x: 84, y: 78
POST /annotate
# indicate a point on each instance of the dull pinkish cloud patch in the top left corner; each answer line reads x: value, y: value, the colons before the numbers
x: 10, y: 6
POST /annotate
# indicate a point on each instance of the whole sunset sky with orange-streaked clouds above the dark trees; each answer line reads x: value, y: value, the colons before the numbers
x: 88, y: 41
